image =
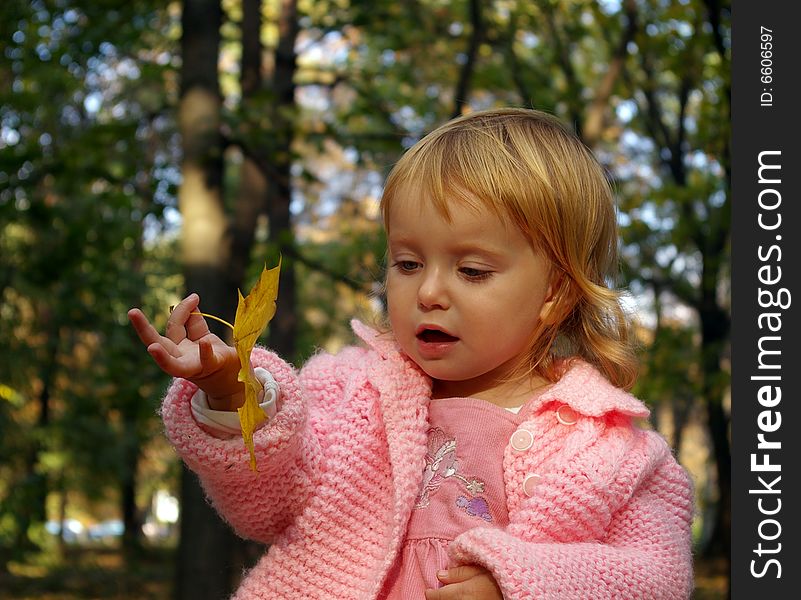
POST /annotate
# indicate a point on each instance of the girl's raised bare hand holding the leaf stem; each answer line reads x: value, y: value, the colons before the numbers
x: 189, y: 350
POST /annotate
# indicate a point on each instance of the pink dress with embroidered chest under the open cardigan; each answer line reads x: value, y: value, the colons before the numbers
x: 462, y: 488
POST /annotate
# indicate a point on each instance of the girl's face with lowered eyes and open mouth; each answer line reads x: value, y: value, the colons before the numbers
x: 464, y: 296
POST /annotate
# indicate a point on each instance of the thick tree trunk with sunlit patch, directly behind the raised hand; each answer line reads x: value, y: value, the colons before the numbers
x: 204, y: 567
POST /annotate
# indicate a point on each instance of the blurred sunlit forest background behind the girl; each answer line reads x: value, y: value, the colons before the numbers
x: 151, y: 147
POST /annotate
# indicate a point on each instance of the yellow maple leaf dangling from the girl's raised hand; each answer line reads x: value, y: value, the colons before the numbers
x: 252, y: 315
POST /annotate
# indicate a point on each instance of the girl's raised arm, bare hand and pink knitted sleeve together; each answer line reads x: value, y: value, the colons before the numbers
x: 260, y: 504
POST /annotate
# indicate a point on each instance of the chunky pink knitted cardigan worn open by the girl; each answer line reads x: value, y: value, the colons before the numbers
x: 341, y: 463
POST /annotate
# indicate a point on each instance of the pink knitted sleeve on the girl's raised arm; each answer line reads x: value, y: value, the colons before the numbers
x: 262, y: 504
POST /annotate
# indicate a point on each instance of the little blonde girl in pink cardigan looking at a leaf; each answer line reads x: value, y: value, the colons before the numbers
x: 480, y: 446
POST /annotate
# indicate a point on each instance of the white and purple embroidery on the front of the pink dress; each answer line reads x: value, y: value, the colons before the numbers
x: 441, y: 464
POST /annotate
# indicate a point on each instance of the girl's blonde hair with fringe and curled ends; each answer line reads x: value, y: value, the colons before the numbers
x: 525, y: 166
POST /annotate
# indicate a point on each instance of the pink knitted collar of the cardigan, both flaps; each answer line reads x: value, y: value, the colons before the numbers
x: 582, y: 387
